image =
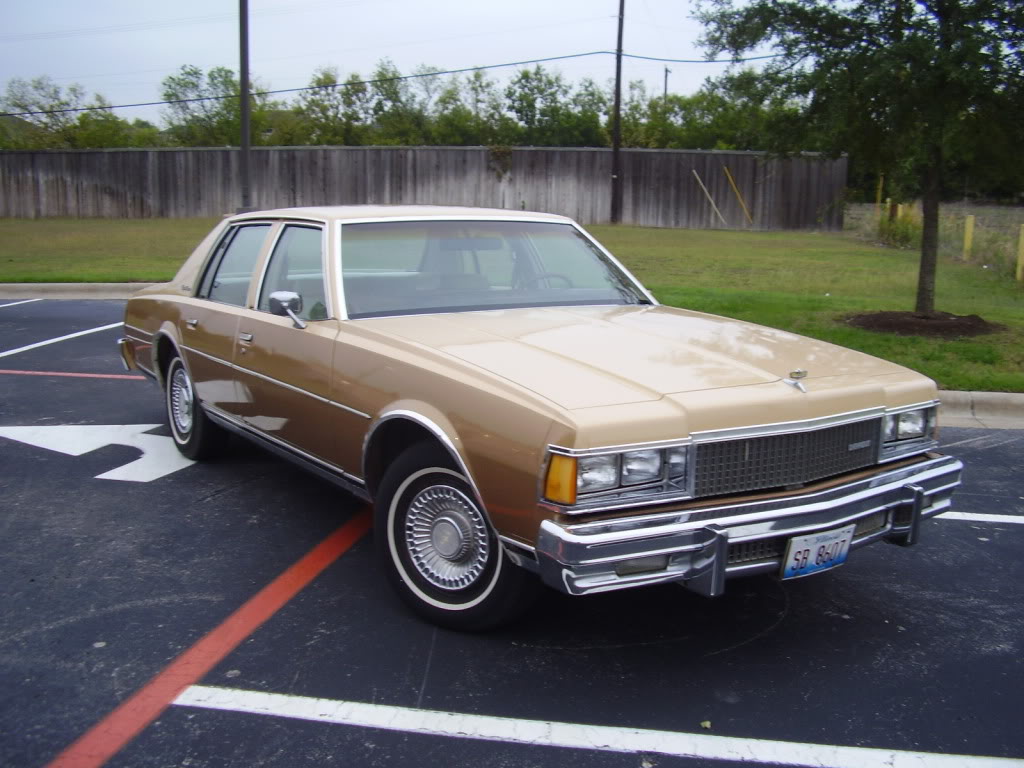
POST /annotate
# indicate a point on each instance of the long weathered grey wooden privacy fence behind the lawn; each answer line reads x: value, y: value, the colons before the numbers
x: 661, y: 188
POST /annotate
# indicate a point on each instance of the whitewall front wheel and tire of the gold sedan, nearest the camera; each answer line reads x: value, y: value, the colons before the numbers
x: 439, y: 549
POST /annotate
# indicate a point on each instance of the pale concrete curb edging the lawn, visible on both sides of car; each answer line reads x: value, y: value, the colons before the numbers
x: 977, y: 410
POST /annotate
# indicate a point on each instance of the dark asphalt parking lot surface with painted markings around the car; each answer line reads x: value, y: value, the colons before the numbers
x: 163, y: 614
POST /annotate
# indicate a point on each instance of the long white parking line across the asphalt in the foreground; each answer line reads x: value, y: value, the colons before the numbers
x: 572, y: 736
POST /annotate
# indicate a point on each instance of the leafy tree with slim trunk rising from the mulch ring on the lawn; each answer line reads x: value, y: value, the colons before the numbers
x: 900, y: 82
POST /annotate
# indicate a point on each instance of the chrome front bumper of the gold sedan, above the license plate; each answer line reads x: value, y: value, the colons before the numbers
x: 702, y: 548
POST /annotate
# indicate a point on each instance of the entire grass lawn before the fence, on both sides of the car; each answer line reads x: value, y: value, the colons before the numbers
x: 801, y: 282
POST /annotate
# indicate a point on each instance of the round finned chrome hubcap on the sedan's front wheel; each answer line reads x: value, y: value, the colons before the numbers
x: 447, y: 537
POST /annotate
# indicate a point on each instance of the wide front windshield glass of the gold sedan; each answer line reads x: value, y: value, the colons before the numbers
x: 413, y: 268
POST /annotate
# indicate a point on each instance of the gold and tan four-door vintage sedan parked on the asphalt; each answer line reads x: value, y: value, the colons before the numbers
x: 521, y: 410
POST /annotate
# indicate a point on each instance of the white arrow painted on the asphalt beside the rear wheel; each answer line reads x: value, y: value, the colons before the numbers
x: 160, y: 457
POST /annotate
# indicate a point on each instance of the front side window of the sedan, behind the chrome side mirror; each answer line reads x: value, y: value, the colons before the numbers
x: 296, y: 266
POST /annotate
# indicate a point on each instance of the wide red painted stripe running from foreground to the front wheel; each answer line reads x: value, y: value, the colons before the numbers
x: 111, y: 735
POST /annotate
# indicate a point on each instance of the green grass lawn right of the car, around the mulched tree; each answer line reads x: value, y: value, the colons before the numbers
x: 808, y: 283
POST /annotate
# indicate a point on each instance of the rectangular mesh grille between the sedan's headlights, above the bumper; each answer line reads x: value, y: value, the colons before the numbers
x: 778, y: 461
